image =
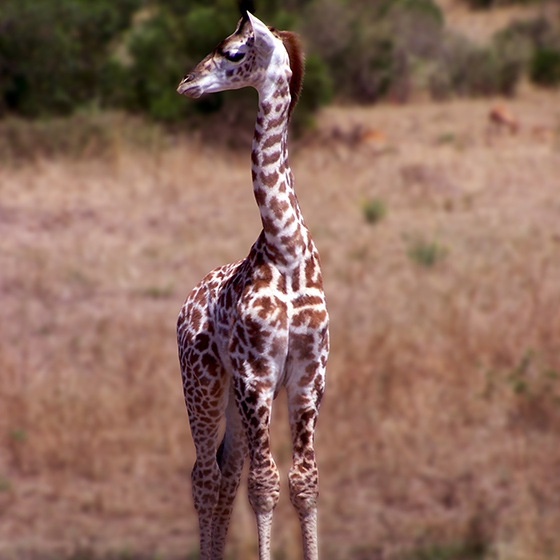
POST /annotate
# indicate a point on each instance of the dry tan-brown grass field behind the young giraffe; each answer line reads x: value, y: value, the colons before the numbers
x: 439, y: 435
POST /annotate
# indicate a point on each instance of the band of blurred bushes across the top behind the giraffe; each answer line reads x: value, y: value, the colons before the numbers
x: 59, y: 56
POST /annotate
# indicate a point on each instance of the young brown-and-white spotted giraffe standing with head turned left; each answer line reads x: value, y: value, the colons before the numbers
x: 254, y: 326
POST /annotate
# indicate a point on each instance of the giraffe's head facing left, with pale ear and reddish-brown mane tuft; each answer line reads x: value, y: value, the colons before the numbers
x: 254, y: 55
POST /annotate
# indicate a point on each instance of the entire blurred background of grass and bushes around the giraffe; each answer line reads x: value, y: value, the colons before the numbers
x: 426, y: 151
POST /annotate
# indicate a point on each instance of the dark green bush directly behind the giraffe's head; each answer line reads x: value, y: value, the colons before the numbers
x: 175, y: 36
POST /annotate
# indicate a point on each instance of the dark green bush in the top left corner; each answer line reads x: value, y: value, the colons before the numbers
x: 53, y: 52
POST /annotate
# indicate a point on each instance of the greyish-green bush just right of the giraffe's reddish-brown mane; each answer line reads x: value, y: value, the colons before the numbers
x: 369, y: 46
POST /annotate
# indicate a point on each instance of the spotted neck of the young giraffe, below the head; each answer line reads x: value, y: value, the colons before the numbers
x: 284, y: 230
